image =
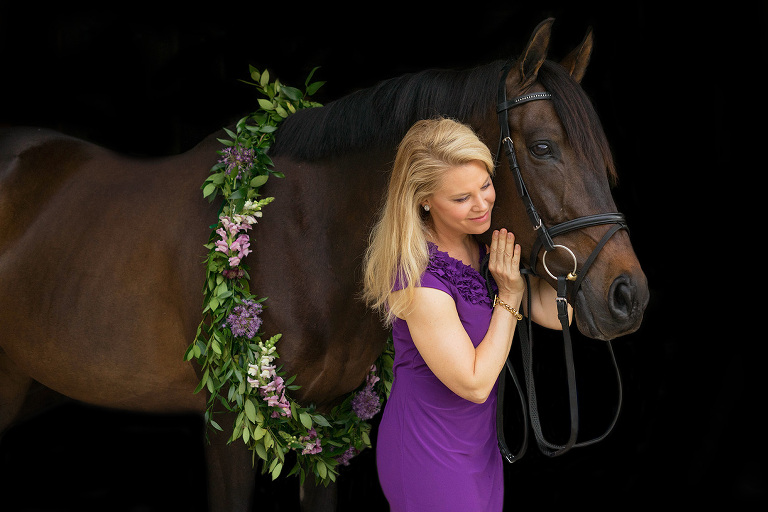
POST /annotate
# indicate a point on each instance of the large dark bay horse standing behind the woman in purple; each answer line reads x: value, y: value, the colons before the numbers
x: 100, y: 253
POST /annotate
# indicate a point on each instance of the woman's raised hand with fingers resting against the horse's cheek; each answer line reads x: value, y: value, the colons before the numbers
x: 504, y: 264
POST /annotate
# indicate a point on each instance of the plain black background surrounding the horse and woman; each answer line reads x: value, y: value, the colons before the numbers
x: 670, y: 83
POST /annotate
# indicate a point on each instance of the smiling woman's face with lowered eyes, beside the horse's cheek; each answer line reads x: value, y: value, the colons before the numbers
x: 463, y: 202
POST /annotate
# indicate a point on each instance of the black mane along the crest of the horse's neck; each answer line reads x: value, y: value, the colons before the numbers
x: 379, y: 116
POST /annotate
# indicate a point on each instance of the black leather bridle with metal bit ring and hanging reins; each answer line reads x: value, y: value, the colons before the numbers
x: 567, y: 287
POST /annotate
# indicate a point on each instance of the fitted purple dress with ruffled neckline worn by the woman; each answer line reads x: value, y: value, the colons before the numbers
x: 436, y: 450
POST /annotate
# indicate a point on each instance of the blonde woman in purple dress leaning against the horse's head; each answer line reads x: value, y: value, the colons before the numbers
x: 437, y: 446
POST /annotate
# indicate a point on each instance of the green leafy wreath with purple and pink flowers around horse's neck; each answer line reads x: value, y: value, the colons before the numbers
x: 238, y: 365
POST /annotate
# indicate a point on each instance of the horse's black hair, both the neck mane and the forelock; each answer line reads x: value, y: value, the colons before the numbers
x: 379, y: 116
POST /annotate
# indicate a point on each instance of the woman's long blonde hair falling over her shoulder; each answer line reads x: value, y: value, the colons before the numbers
x: 397, y: 248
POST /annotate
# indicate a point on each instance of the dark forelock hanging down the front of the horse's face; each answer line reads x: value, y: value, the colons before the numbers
x: 579, y: 118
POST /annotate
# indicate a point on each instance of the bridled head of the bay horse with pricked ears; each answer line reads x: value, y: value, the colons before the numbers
x: 562, y: 166
